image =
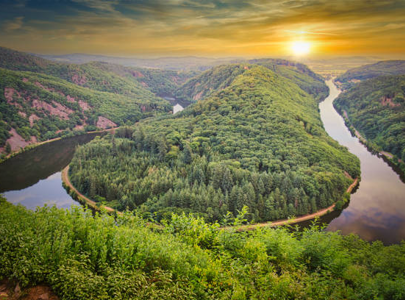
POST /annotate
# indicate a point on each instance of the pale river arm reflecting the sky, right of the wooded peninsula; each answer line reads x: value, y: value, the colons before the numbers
x: 377, y: 209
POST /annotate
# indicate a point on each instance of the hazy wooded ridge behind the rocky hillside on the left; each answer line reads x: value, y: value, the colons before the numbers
x: 98, y: 76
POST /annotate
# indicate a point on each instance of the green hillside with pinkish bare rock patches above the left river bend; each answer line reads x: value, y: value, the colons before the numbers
x: 40, y: 107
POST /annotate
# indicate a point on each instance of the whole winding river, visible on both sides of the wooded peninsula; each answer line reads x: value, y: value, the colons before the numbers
x: 376, y: 210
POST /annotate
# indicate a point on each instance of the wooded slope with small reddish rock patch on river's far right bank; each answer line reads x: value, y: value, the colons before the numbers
x: 376, y: 108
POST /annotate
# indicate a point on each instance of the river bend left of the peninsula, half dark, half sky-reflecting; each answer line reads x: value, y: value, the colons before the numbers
x: 33, y: 178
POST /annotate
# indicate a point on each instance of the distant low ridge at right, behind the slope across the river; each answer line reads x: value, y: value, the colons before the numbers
x: 382, y: 68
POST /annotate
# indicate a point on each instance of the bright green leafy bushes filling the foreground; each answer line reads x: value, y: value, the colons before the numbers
x: 81, y: 256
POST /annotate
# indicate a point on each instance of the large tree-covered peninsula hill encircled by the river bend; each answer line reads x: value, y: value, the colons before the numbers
x: 258, y: 142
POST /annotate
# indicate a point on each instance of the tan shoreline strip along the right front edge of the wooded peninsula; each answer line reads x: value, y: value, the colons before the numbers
x: 293, y: 221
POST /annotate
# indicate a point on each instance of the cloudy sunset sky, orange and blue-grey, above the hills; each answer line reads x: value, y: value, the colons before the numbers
x: 203, y: 27
